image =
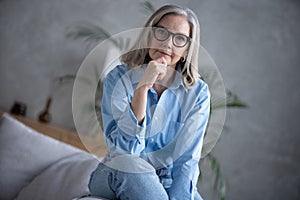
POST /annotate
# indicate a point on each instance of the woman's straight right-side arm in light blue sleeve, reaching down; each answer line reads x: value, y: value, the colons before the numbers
x: 185, y: 169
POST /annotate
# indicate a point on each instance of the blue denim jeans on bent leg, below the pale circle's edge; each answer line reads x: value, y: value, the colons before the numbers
x: 113, y: 184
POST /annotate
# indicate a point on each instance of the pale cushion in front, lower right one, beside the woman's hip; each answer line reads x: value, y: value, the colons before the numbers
x: 66, y: 179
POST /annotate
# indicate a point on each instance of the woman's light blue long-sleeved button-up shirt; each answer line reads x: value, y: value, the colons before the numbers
x: 171, y: 135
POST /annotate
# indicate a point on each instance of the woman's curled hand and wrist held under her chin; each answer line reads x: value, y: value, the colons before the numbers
x: 155, y: 71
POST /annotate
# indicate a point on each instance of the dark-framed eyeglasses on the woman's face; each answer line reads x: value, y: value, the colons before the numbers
x: 162, y: 34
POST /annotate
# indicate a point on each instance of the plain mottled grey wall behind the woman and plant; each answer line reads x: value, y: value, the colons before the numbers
x: 255, y: 44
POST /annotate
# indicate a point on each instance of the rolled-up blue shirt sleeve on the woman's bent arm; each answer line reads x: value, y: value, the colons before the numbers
x: 122, y: 132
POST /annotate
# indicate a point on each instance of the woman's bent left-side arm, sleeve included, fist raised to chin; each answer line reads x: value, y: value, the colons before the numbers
x: 123, y: 116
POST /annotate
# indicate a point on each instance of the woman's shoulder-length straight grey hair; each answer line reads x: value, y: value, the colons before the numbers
x: 138, y: 54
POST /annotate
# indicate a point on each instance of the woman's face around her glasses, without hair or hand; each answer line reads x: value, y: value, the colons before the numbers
x: 172, y: 54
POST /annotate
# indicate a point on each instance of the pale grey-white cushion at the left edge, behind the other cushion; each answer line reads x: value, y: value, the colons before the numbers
x: 25, y: 153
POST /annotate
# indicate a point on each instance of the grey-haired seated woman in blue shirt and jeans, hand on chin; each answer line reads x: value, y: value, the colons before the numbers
x: 155, y: 108
